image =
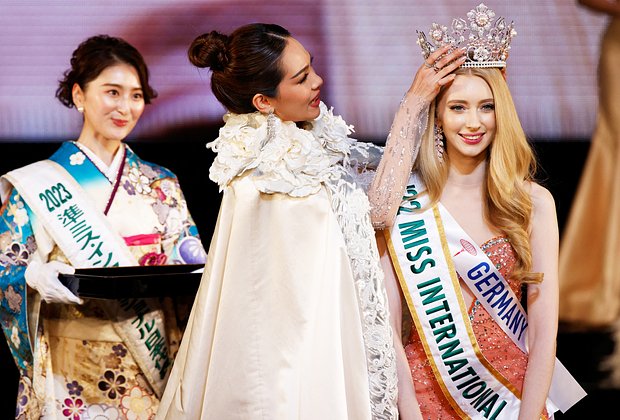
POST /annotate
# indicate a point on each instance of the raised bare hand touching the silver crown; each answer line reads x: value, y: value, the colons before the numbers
x: 436, y: 71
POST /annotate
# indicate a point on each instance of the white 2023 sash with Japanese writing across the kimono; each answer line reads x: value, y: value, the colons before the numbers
x: 87, y: 239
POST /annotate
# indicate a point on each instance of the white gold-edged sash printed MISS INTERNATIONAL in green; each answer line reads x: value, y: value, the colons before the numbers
x: 430, y: 285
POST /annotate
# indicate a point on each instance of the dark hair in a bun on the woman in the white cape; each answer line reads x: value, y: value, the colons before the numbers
x: 243, y: 64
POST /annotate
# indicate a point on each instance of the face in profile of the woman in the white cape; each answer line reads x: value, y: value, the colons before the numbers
x: 299, y: 91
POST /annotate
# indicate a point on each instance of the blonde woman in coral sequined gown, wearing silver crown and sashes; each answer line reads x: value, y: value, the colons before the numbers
x: 470, y: 229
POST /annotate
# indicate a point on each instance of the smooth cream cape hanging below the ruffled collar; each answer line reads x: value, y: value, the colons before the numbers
x: 275, y: 331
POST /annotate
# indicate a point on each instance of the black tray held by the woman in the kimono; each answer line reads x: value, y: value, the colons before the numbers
x: 135, y: 281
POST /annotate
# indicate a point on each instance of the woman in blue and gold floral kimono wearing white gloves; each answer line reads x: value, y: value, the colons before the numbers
x: 94, y: 203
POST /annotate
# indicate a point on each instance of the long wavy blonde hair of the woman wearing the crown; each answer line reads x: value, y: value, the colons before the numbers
x: 510, y: 163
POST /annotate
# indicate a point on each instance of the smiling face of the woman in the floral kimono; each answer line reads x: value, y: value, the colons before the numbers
x: 113, y: 104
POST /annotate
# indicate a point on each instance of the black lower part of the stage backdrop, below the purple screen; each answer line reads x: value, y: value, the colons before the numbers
x: 561, y: 163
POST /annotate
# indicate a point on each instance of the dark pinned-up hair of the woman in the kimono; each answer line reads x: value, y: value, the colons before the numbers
x: 96, y: 54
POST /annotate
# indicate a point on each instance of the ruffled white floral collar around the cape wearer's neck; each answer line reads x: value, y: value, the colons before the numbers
x: 294, y: 162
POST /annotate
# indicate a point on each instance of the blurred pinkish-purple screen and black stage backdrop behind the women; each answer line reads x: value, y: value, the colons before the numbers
x: 365, y: 50
